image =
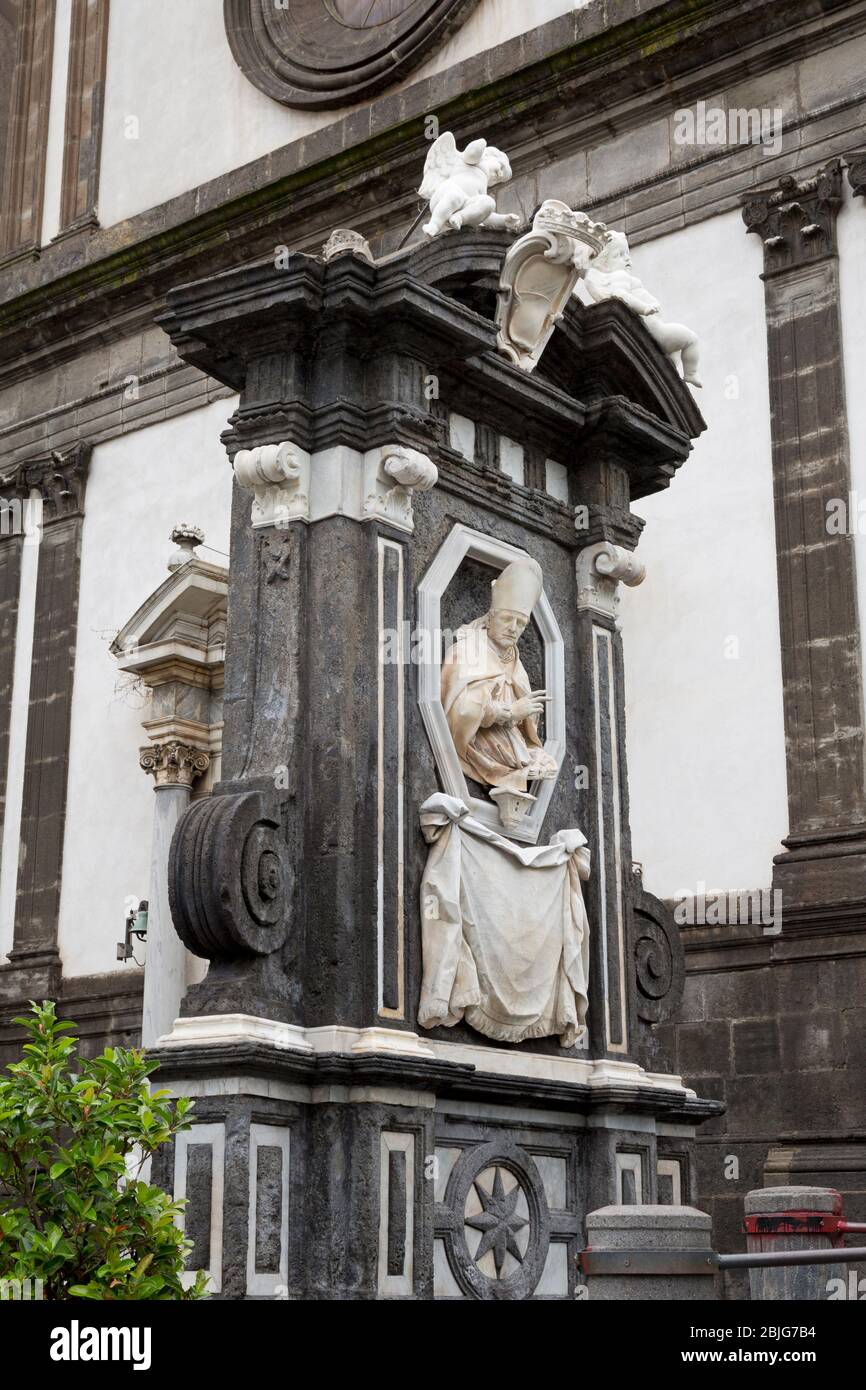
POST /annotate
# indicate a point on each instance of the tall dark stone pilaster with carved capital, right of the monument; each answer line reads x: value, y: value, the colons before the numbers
x: 825, y: 860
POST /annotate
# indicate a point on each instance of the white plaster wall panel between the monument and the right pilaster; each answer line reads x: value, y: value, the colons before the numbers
x: 707, y: 765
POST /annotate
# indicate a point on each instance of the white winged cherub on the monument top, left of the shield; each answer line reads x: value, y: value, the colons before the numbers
x: 457, y: 186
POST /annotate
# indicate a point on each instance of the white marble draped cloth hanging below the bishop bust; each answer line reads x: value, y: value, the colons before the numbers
x: 505, y: 932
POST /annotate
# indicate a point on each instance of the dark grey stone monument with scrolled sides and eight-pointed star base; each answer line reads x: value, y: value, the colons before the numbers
x: 338, y: 1150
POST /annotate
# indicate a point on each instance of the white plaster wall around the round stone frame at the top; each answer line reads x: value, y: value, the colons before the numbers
x: 172, y: 70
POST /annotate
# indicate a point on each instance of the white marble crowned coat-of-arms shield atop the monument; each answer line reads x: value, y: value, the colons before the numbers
x: 539, y: 279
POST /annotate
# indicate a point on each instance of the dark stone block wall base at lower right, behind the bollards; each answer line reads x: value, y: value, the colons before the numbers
x: 782, y: 1040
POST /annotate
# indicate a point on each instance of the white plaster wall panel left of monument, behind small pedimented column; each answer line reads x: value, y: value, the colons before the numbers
x: 141, y: 486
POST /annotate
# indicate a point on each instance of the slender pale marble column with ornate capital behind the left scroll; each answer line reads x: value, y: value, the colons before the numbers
x: 174, y: 768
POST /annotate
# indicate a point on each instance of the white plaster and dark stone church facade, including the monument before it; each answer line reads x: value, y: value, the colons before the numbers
x: 468, y: 911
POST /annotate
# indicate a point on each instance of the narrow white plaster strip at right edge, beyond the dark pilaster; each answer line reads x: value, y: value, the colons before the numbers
x: 851, y: 230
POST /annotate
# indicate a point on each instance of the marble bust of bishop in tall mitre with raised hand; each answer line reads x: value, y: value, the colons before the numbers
x: 491, y: 711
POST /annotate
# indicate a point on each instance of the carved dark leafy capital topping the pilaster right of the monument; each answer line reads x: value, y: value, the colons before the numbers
x: 797, y: 220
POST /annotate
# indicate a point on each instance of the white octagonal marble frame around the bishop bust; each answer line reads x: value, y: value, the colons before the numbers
x: 466, y: 544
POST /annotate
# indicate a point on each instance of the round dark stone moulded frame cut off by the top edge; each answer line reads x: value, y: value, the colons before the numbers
x: 305, y: 55
